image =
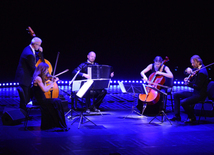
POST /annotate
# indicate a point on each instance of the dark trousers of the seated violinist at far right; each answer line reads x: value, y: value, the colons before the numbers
x: 187, y: 100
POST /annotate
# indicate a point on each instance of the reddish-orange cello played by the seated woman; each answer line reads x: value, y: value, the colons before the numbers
x: 155, y: 81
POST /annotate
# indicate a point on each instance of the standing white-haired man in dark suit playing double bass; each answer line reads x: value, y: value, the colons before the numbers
x: 26, y: 68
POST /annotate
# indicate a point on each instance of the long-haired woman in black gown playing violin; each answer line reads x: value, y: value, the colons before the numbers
x: 52, y: 110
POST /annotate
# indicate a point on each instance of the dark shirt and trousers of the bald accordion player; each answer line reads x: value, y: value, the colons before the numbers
x: 98, y: 94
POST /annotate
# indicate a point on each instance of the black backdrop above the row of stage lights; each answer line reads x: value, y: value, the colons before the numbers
x: 125, y: 35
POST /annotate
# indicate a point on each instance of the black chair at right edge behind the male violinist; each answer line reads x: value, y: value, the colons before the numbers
x: 209, y: 99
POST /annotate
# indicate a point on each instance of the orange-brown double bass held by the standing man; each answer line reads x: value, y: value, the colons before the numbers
x: 54, y: 92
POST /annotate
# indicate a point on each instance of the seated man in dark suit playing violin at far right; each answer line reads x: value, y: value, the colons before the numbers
x: 188, y: 99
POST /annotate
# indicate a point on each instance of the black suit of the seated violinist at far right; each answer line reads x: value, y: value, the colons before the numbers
x: 188, y: 99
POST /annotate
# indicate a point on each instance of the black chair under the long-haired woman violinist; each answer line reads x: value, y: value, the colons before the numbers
x: 28, y: 107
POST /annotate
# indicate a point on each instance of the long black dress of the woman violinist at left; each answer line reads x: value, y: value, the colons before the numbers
x: 53, y: 118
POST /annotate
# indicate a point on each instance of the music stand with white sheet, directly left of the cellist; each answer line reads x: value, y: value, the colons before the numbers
x: 136, y: 88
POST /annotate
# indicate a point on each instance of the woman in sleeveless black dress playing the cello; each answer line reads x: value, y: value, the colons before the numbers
x: 158, y: 69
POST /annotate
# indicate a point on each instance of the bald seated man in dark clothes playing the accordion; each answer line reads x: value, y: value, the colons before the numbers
x: 100, y: 94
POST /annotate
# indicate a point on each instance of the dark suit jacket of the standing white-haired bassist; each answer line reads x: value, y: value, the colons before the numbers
x: 26, y: 67
